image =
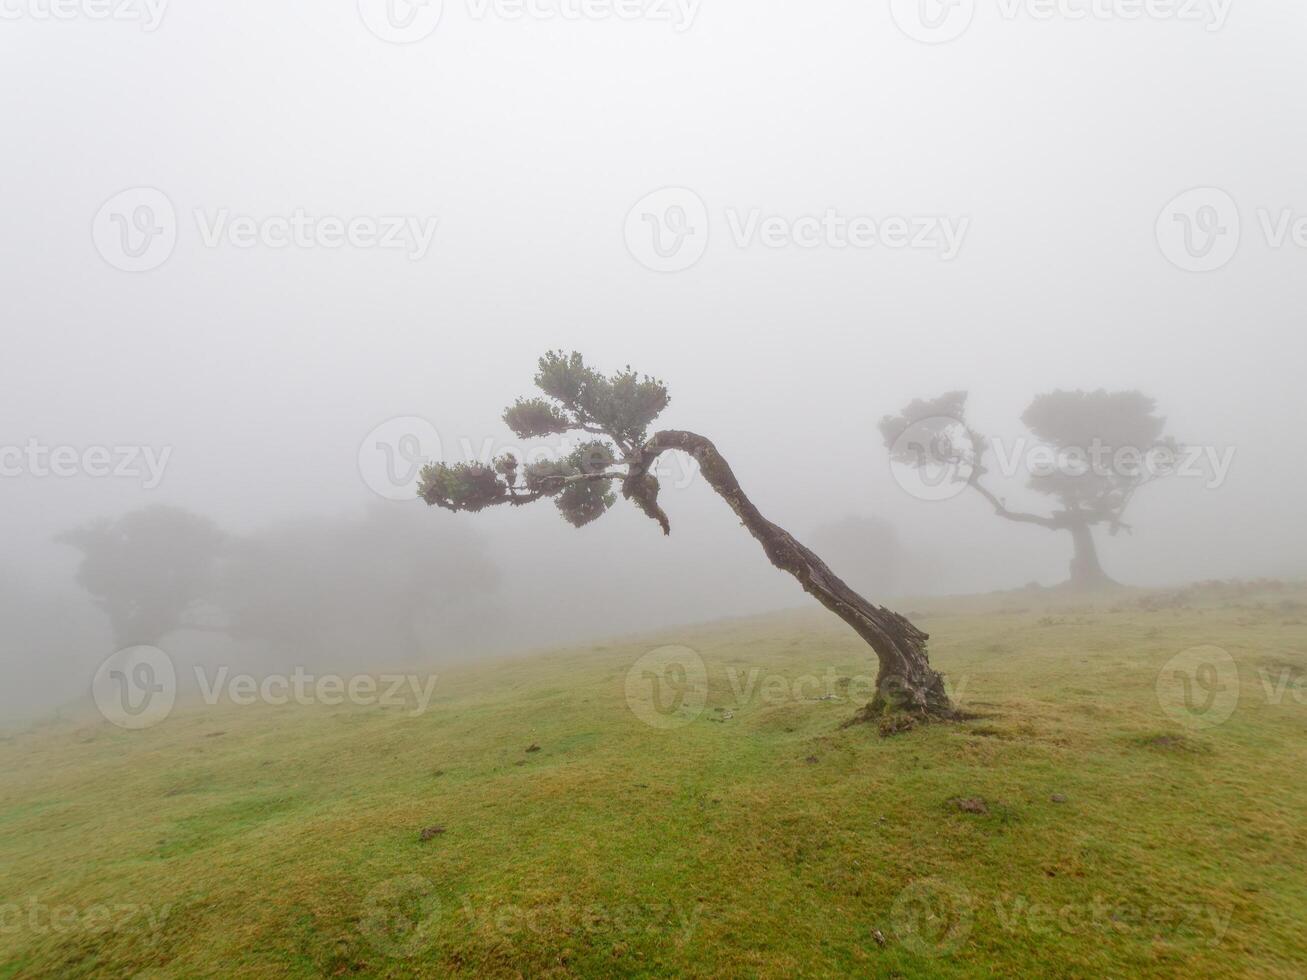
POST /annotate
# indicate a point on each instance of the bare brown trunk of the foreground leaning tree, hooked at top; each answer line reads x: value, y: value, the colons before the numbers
x: 905, y: 681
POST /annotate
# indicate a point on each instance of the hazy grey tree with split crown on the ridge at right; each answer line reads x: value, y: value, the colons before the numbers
x: 1096, y: 450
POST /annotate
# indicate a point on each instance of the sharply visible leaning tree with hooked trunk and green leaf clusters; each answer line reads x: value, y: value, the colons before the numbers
x: 616, y: 414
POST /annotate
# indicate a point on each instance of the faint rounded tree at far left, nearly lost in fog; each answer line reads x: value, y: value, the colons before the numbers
x: 148, y: 570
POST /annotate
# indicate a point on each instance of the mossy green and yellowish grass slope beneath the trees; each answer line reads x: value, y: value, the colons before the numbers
x: 1088, y: 824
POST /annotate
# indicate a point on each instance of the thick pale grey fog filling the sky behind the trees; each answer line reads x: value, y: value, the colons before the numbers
x: 1040, y: 161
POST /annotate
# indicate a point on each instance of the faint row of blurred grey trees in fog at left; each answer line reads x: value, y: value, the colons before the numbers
x: 386, y: 586
